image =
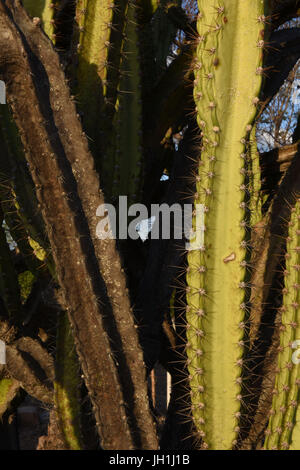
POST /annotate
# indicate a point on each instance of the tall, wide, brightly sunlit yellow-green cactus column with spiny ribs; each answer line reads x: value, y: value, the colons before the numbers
x: 228, y: 74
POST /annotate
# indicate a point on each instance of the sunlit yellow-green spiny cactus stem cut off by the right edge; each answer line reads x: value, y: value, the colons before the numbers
x: 283, y: 432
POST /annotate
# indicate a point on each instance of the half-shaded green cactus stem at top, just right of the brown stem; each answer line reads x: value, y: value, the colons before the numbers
x: 99, y: 43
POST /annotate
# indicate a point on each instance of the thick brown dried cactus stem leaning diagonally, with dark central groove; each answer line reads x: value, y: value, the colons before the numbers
x: 69, y: 194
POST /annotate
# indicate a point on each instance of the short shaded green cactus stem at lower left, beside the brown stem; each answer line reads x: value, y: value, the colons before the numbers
x: 67, y: 385
